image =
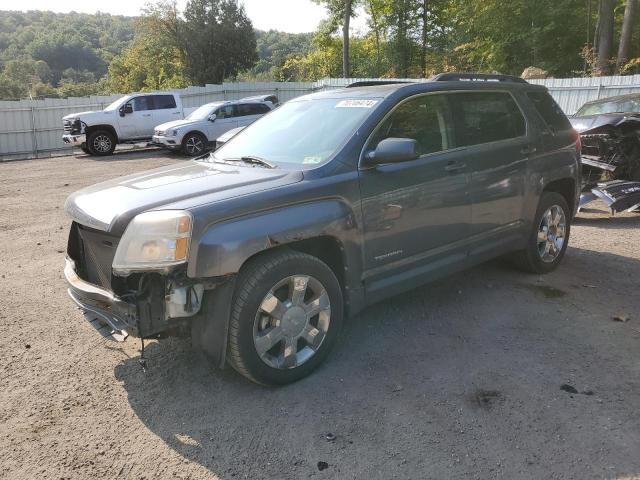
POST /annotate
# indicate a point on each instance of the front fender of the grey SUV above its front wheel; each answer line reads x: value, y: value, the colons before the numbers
x: 222, y: 248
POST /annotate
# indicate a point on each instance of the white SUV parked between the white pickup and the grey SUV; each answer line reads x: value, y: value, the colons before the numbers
x: 199, y: 131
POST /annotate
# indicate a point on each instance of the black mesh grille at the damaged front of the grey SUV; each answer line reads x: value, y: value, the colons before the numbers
x: 93, y: 253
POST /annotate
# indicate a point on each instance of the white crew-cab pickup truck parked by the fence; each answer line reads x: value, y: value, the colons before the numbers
x: 129, y: 119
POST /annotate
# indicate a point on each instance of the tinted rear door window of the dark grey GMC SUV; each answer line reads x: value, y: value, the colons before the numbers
x: 483, y: 117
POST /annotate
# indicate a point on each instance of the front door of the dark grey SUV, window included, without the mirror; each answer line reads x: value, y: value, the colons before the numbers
x: 416, y: 214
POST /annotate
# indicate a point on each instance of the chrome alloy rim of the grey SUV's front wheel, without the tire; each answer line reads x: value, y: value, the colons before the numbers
x: 292, y: 322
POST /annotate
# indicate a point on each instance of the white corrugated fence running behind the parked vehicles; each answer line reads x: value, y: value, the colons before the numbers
x: 33, y: 128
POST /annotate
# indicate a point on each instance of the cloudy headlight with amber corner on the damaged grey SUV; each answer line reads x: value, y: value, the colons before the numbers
x: 154, y: 240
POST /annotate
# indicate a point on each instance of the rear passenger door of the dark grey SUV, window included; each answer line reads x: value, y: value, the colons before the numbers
x: 492, y: 129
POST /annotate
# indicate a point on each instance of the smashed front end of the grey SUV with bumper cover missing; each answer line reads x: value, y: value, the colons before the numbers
x: 143, y: 304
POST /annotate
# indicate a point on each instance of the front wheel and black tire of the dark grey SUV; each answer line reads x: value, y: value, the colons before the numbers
x: 307, y: 325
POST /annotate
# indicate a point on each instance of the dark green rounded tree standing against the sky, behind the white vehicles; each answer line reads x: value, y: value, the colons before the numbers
x: 217, y: 39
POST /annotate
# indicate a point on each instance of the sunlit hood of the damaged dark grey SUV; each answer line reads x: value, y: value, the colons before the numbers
x: 109, y: 206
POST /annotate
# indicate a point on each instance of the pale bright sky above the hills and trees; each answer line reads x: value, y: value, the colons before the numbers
x: 293, y: 16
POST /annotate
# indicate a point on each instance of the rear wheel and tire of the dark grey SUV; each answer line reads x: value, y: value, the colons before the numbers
x: 543, y: 256
